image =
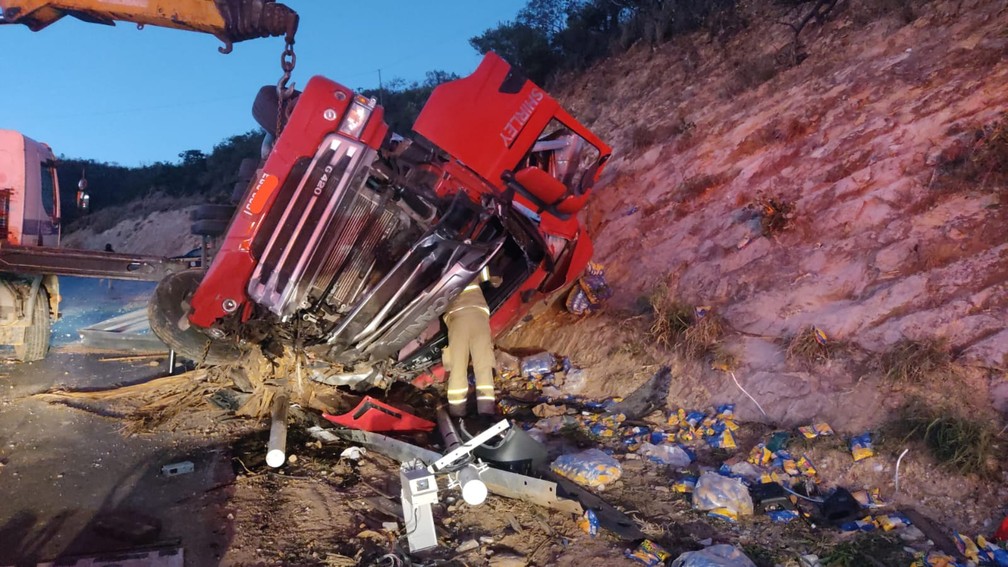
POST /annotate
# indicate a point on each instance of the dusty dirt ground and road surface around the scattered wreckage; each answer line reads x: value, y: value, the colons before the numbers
x: 66, y: 471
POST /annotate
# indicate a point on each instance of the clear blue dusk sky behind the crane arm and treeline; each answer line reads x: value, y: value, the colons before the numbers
x: 133, y: 97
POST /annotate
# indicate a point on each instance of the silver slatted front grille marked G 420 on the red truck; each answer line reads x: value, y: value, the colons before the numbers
x: 326, y: 238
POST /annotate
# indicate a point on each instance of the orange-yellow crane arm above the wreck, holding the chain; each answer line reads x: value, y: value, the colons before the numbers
x: 229, y: 21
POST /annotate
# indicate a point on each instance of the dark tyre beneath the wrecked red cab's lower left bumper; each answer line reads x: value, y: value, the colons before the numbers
x: 168, y: 307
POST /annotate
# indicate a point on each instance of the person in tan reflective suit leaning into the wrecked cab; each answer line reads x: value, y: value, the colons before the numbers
x: 468, y: 320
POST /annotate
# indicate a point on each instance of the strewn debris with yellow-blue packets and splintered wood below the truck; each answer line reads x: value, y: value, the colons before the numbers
x: 702, y: 468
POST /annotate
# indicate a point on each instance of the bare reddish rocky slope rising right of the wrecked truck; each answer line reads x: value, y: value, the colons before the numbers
x: 864, y: 138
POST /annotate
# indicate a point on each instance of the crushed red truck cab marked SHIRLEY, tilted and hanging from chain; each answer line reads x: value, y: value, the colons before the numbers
x: 351, y: 242
